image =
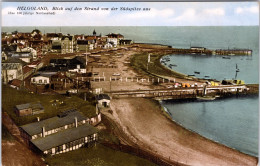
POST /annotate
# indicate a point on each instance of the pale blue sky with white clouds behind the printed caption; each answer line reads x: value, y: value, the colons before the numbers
x: 160, y: 14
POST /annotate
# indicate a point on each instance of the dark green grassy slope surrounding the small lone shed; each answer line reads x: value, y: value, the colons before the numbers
x: 12, y: 97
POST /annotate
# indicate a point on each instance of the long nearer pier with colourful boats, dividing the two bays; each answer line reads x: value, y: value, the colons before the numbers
x: 188, y: 93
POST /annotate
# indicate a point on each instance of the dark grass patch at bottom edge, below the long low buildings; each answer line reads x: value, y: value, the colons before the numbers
x: 98, y: 155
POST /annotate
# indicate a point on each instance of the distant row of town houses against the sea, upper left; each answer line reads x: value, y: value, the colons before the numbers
x: 57, y: 42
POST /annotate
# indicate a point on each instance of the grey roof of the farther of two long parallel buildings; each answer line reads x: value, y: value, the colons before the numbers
x: 52, y: 123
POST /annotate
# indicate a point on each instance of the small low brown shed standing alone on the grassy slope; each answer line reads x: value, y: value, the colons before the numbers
x: 29, y: 109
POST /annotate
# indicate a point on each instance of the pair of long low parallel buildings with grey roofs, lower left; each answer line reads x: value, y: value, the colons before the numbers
x: 67, y: 131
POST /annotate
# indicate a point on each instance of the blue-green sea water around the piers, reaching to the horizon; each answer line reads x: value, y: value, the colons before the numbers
x: 232, y: 122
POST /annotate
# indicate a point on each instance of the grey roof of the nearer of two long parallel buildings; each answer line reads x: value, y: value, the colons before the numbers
x: 64, y: 136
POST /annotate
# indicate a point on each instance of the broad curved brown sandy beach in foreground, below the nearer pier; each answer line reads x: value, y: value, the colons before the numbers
x: 143, y: 121
